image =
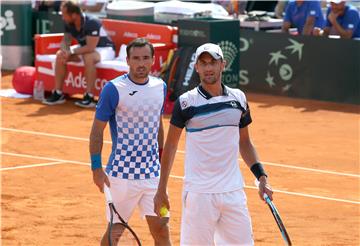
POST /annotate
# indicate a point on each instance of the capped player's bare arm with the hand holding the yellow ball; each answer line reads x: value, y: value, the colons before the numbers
x: 161, y: 198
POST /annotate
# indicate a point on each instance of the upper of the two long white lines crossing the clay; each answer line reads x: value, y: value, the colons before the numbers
x: 183, y: 152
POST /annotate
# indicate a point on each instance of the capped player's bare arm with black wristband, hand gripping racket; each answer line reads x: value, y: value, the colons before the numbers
x: 250, y: 156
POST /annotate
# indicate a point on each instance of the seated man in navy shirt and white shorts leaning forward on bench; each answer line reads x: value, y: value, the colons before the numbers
x: 94, y: 46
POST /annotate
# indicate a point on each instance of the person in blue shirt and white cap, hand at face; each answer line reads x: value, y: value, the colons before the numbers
x: 342, y: 19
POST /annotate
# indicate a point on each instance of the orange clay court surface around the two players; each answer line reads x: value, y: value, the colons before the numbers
x: 310, y: 150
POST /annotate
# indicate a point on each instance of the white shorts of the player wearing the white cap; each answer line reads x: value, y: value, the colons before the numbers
x: 215, y: 218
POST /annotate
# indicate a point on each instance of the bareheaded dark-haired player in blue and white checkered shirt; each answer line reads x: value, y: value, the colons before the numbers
x: 132, y: 104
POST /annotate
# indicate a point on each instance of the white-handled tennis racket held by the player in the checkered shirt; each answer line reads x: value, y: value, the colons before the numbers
x: 128, y: 236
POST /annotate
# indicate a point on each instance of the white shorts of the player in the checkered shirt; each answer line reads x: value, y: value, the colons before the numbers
x: 128, y: 194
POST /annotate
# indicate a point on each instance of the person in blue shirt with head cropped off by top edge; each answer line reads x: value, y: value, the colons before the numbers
x: 306, y: 16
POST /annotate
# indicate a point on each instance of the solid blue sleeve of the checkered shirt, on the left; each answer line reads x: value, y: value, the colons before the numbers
x: 108, y: 101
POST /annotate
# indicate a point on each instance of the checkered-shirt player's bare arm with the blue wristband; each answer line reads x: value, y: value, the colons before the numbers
x: 96, y: 143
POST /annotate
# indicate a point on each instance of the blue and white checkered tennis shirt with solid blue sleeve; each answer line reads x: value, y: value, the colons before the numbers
x: 133, y: 111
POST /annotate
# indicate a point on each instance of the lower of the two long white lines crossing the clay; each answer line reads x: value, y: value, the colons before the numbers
x: 180, y: 177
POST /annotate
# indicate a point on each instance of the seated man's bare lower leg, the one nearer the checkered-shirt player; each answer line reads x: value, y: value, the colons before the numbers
x: 90, y: 60
